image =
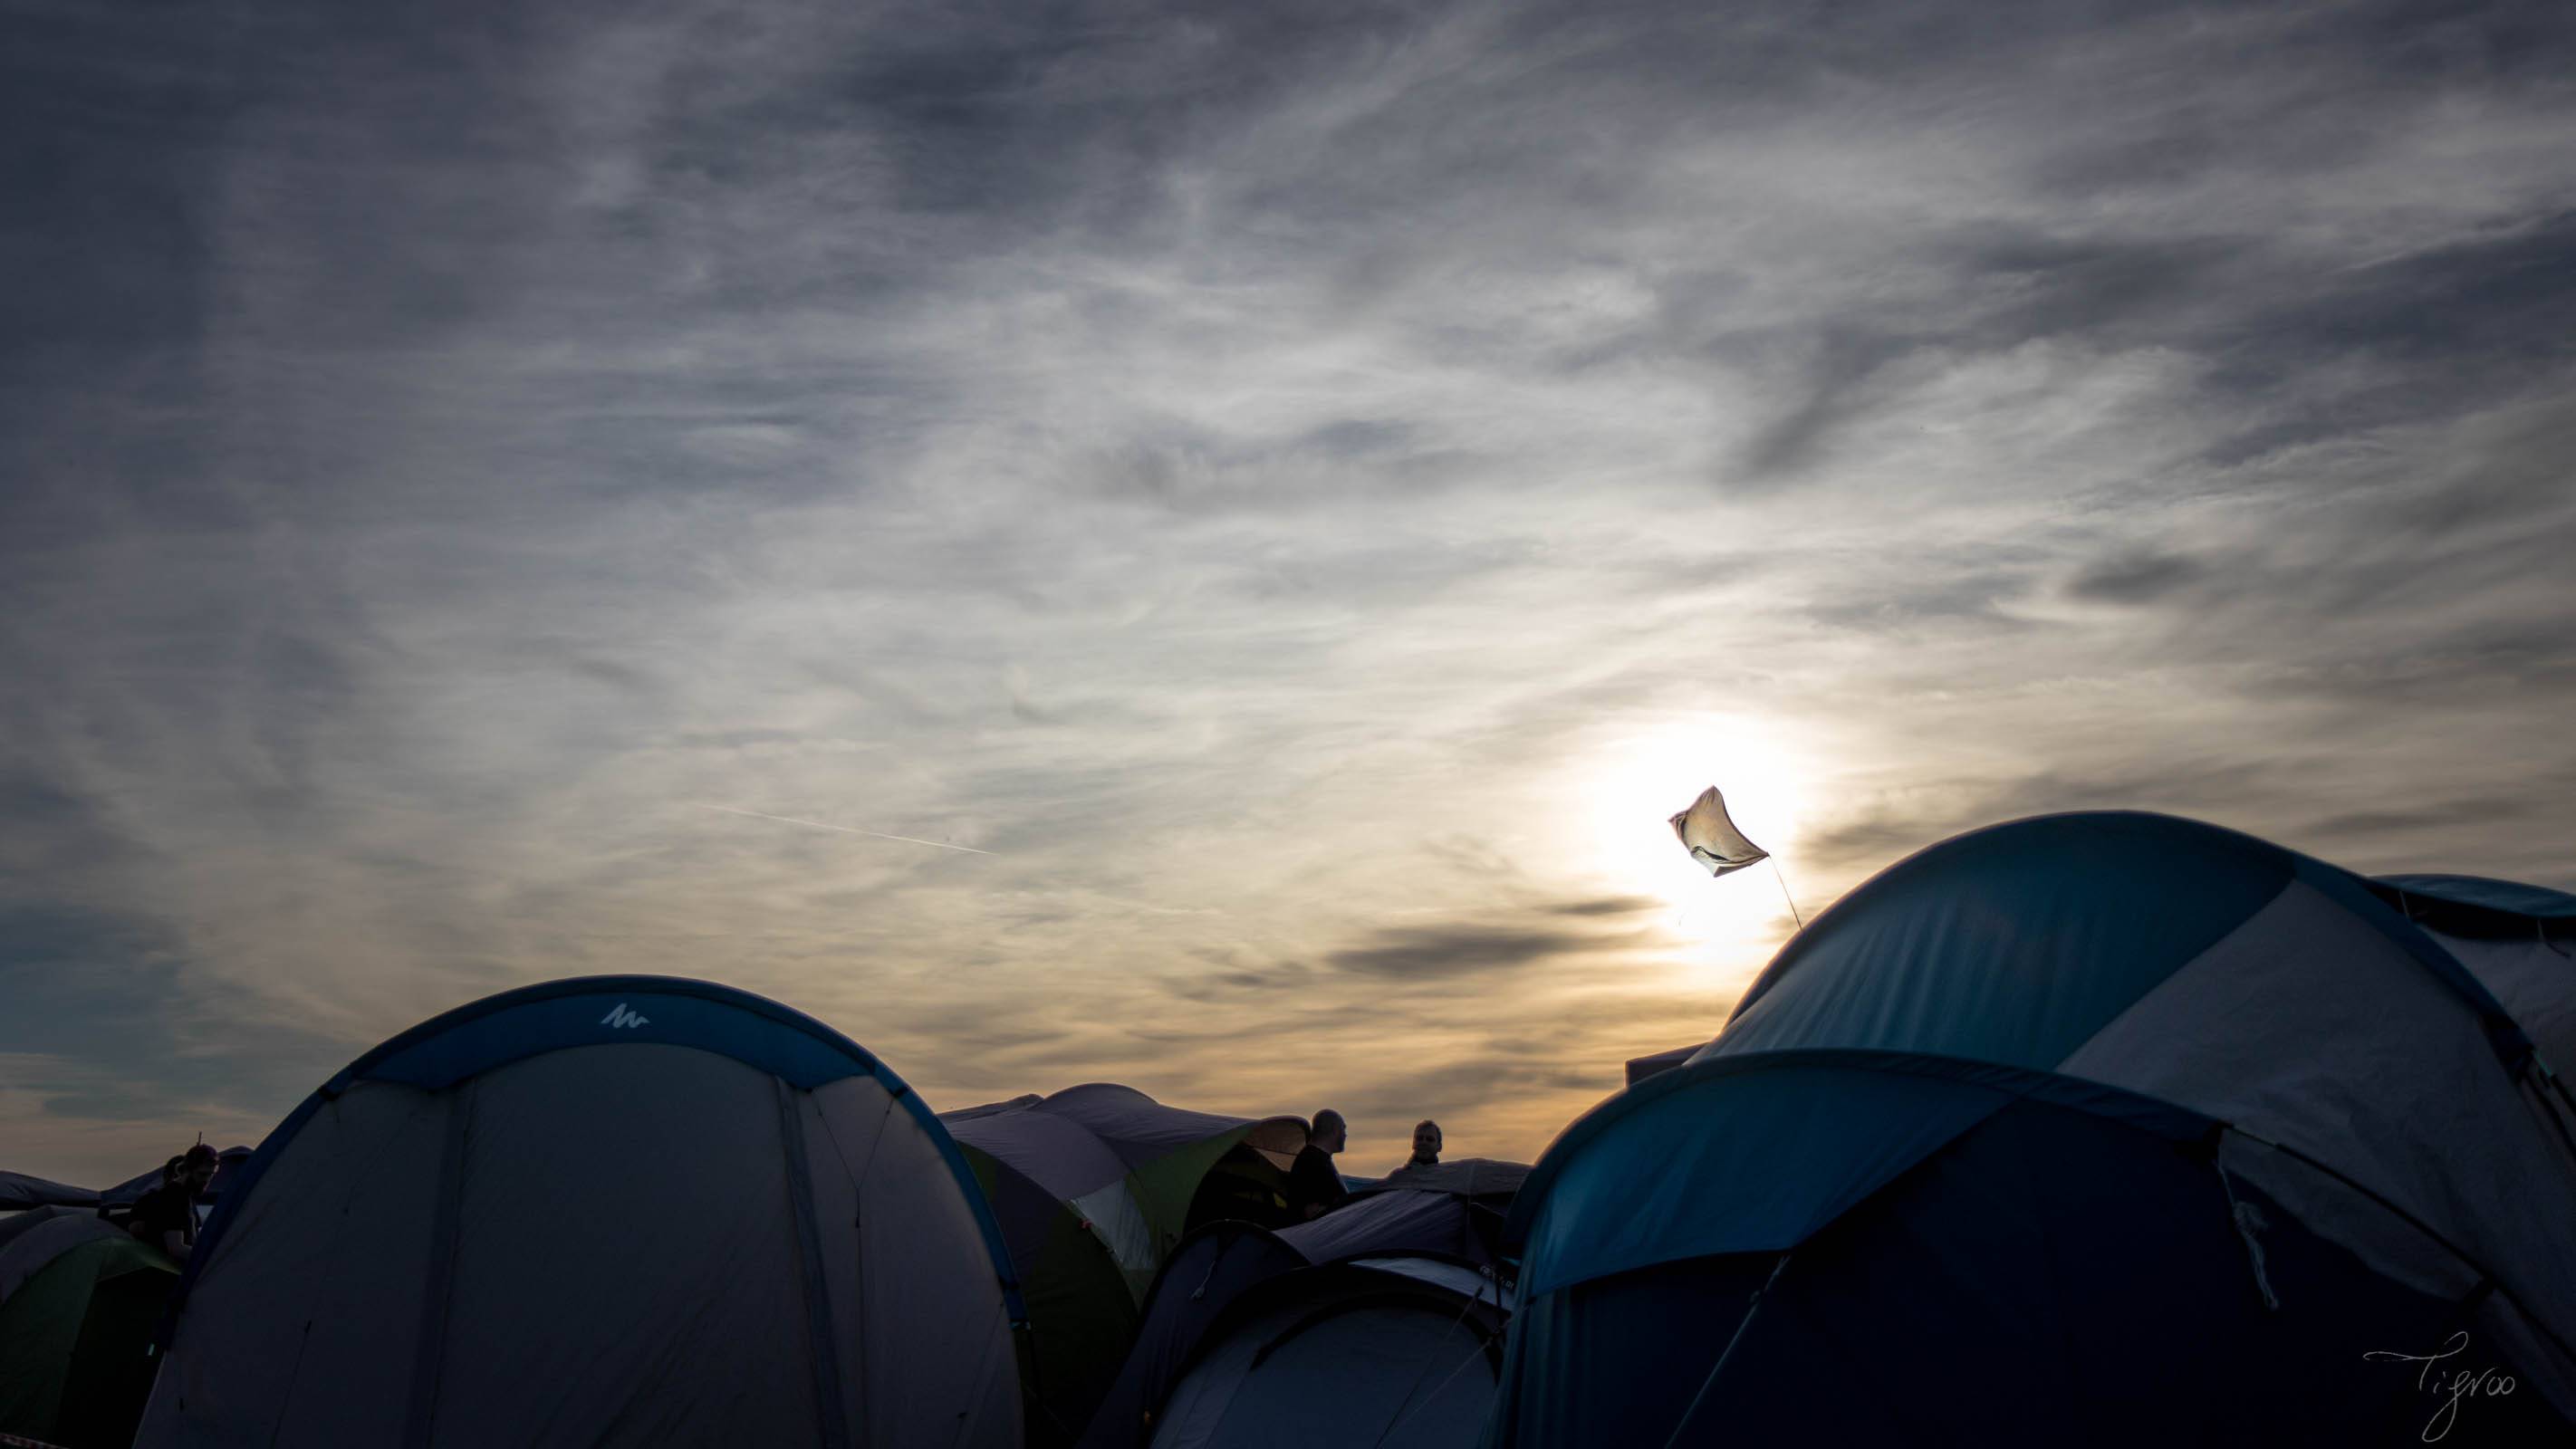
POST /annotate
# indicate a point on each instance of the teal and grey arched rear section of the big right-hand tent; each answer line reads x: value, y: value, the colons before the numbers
x: 1993, y: 948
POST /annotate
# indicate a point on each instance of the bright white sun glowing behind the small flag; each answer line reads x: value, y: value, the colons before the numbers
x: 1634, y: 779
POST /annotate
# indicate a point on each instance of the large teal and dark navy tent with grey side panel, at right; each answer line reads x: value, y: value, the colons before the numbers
x: 2090, y: 1129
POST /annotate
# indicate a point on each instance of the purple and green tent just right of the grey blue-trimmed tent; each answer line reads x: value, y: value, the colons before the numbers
x: 1091, y: 1190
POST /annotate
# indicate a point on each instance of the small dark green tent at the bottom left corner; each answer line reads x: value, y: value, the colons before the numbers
x: 76, y: 1340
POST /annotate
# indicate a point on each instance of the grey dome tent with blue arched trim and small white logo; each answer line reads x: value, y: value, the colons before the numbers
x: 607, y: 1211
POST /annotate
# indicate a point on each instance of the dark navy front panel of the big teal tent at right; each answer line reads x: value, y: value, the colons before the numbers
x: 2052, y: 1278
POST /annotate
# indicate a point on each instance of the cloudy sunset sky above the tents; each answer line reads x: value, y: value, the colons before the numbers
x: 1274, y: 503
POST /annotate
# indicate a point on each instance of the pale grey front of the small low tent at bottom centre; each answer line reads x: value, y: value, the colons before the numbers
x: 1341, y: 1355
